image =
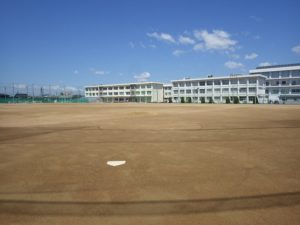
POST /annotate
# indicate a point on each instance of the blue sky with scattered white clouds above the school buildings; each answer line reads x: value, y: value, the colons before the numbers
x: 92, y: 42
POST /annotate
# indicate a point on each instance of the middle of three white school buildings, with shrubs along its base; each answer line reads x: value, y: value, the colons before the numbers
x: 246, y: 87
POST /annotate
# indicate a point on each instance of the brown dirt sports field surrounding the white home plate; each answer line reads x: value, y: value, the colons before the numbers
x: 185, y: 164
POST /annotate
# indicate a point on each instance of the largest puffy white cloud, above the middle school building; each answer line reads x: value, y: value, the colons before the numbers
x: 217, y: 40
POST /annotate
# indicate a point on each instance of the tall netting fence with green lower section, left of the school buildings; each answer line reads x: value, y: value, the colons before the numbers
x: 33, y: 93
